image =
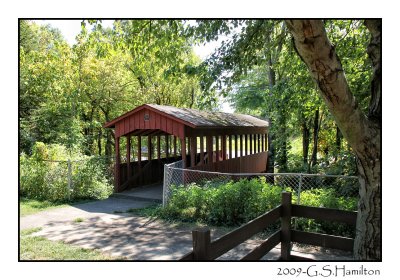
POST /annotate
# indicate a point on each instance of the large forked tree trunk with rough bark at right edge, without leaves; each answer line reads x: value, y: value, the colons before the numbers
x: 361, y: 132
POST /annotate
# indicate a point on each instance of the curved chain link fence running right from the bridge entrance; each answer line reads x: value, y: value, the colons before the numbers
x: 298, y: 183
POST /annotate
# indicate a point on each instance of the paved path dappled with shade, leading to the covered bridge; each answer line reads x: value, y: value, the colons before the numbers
x: 133, y: 237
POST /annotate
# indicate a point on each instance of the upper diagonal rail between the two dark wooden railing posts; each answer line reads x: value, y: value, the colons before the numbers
x: 234, y: 238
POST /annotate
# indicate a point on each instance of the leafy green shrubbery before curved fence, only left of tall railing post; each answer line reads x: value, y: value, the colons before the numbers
x: 231, y: 203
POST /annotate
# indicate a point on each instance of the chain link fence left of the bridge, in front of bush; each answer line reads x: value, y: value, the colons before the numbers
x: 59, y: 180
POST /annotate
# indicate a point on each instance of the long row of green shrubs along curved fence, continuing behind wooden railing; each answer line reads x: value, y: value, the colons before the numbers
x: 234, y: 203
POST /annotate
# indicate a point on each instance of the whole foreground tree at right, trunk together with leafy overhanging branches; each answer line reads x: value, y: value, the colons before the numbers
x: 257, y: 40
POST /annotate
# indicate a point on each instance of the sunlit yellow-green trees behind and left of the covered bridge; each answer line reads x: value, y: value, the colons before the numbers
x: 68, y: 92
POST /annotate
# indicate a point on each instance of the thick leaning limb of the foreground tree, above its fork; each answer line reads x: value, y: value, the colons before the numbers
x: 315, y: 49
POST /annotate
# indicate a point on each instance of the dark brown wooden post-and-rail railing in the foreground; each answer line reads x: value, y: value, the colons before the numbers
x: 205, y: 249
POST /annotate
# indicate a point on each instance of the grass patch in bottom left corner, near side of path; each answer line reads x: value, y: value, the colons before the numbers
x: 39, y: 248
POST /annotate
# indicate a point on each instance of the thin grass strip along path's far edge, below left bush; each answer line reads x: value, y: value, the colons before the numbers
x: 29, y: 206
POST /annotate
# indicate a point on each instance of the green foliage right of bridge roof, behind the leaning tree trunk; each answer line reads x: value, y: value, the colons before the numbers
x: 260, y: 71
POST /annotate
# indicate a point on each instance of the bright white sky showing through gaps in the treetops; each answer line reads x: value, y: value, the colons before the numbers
x: 71, y: 28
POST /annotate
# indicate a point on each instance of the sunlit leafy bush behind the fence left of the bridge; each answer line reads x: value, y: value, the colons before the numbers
x: 42, y: 179
